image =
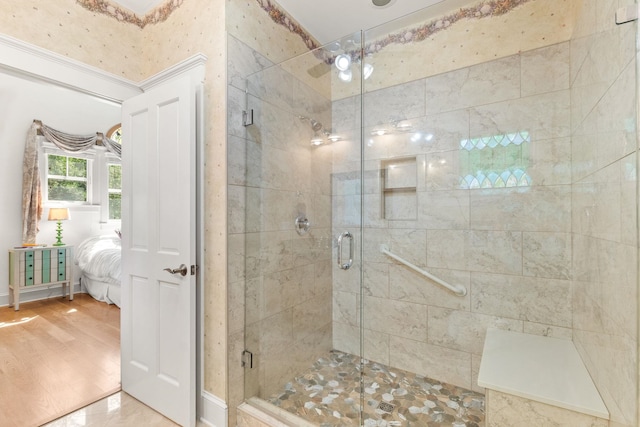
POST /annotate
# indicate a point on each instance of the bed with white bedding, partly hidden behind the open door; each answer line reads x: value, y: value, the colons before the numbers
x: 99, y: 260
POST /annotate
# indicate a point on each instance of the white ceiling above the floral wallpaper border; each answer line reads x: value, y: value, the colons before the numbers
x: 328, y: 20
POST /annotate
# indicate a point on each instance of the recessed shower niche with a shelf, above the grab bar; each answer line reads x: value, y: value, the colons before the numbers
x: 399, y: 183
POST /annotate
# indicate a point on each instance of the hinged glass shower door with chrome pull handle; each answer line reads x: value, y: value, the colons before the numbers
x: 295, y: 235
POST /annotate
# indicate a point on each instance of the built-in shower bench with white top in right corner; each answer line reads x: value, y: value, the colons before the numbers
x: 536, y: 380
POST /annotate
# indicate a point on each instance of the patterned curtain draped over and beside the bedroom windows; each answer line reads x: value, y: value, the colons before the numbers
x: 31, y: 185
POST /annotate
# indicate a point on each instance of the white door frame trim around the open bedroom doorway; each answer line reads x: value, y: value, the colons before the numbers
x: 31, y: 61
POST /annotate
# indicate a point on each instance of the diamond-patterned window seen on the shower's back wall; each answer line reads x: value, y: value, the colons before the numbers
x: 497, y: 161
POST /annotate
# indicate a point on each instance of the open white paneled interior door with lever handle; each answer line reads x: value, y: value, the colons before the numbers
x: 158, y: 330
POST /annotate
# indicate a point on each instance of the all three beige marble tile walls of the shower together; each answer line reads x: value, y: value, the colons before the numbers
x: 530, y: 256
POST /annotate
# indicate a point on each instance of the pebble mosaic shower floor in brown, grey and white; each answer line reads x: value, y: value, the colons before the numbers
x: 328, y: 394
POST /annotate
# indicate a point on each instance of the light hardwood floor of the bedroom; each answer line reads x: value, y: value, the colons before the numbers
x: 56, y: 356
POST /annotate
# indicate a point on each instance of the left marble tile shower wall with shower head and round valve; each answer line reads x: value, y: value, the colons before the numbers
x: 279, y: 282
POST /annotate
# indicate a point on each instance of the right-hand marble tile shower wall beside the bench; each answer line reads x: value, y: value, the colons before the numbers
x: 604, y: 204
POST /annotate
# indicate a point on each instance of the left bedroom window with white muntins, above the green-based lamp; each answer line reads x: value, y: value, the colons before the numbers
x: 67, y: 178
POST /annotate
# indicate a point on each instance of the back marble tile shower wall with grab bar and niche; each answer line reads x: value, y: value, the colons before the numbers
x: 510, y: 247
